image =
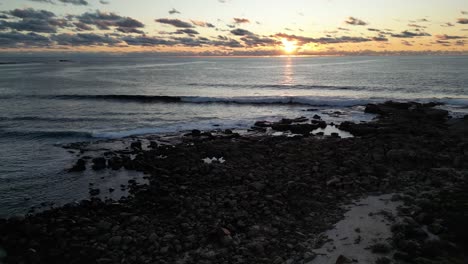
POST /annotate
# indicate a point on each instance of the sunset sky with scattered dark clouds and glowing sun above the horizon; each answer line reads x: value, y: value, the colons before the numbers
x: 235, y: 27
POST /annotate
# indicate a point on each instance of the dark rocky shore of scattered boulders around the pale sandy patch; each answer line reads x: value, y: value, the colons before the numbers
x: 228, y: 198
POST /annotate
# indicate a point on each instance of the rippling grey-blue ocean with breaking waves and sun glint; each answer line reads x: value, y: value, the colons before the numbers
x: 46, y: 102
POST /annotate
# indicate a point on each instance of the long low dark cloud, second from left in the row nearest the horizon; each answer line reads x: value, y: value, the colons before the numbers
x: 85, y: 39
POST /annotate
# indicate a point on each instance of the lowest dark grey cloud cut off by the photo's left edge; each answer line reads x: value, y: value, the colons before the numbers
x: 17, y: 40
